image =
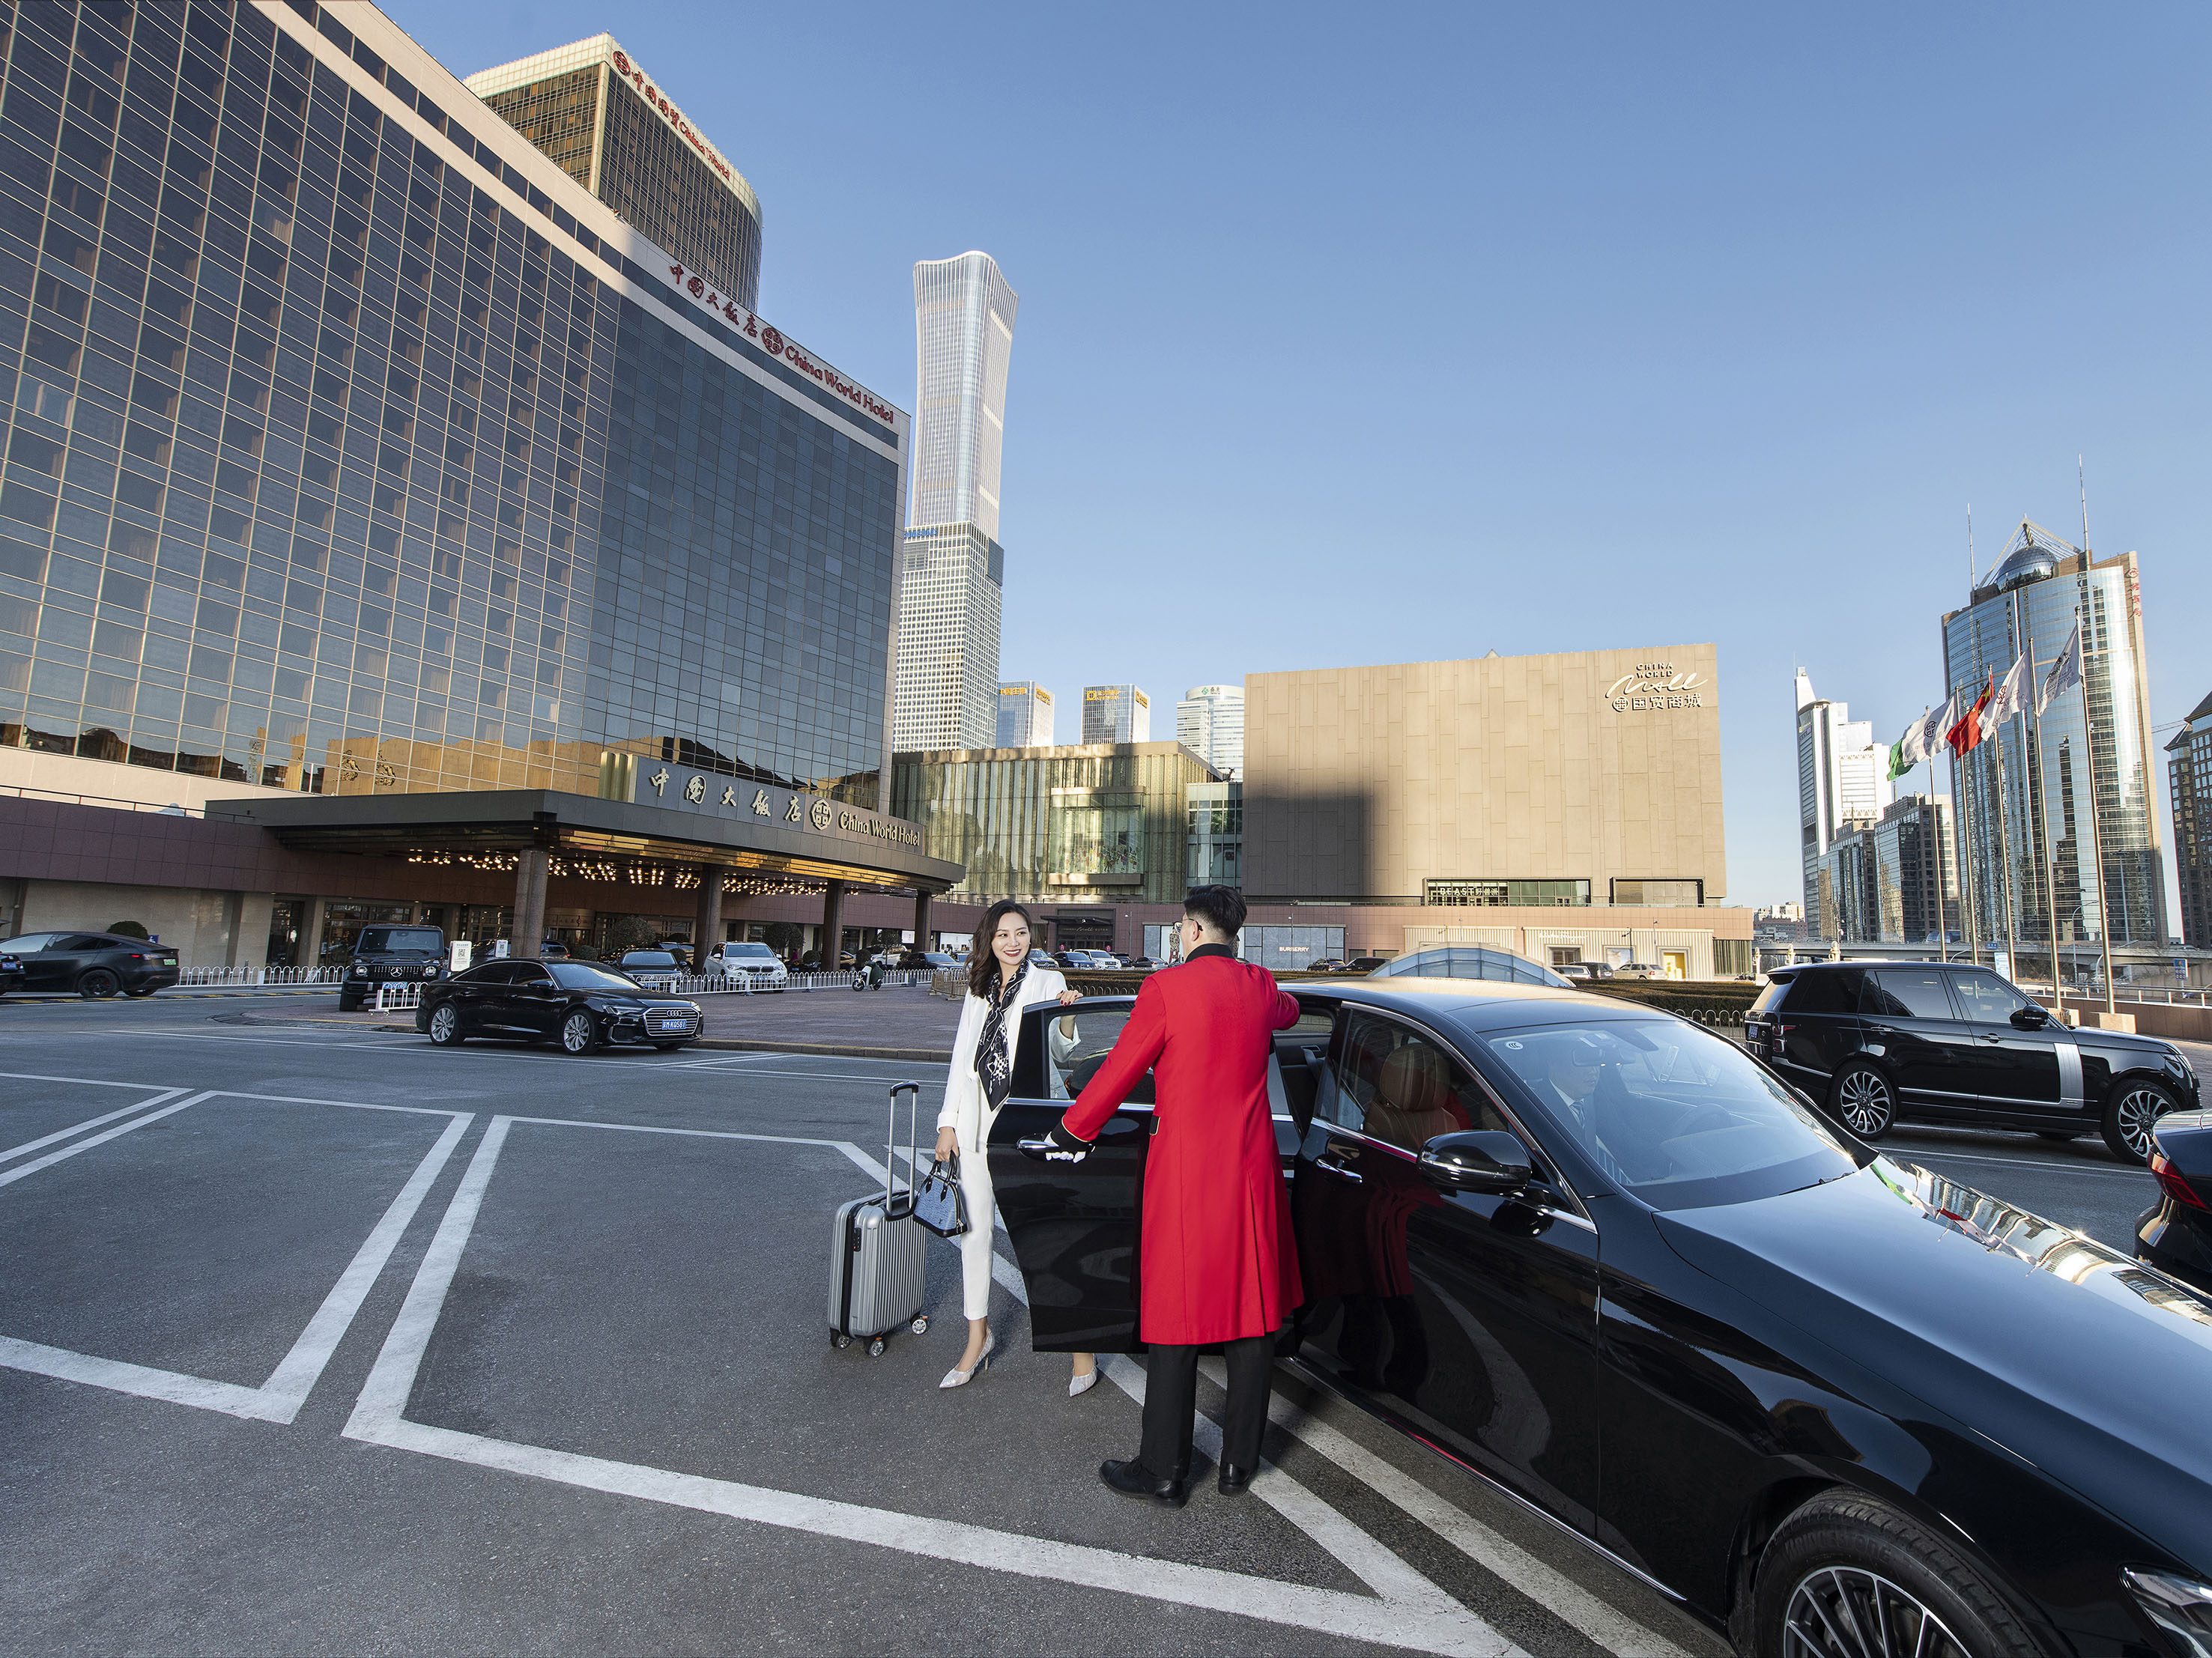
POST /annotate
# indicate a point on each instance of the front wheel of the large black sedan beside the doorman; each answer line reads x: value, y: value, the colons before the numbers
x: 1853, y: 1555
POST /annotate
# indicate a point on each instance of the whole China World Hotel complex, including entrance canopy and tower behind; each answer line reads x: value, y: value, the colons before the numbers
x: 408, y: 507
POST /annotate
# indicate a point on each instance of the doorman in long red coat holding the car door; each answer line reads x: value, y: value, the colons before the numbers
x: 1218, y: 1261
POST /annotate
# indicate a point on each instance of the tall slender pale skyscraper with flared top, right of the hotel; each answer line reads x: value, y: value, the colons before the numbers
x: 954, y: 569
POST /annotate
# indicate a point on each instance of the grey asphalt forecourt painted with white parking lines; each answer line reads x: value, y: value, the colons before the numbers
x: 324, y: 1341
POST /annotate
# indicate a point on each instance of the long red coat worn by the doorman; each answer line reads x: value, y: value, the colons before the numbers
x: 1220, y: 1261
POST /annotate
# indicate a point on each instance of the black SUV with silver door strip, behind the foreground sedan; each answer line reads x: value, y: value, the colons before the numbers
x: 1948, y: 1042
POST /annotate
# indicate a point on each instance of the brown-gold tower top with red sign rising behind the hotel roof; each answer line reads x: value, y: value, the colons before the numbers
x: 614, y: 129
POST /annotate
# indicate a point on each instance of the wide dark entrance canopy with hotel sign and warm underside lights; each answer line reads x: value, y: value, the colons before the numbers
x: 738, y: 830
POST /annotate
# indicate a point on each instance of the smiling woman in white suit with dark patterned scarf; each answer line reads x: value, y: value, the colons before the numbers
x: 1003, y: 985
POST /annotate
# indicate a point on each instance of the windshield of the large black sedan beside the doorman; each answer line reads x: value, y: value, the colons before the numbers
x: 1671, y: 1113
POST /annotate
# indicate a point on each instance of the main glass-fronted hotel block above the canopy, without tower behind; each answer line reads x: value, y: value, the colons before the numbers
x: 357, y: 450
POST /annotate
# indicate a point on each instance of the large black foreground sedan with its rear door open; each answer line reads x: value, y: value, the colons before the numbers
x: 1830, y: 1403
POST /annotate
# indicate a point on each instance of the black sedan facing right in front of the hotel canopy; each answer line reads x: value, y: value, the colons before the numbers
x: 581, y: 1005
